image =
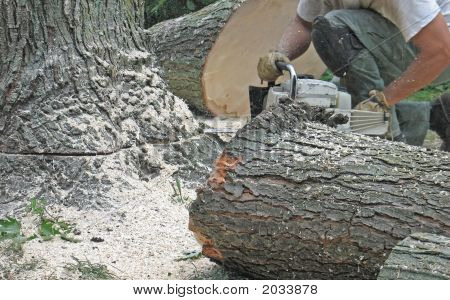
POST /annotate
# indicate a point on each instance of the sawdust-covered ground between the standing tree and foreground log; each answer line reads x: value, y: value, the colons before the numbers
x: 146, y: 236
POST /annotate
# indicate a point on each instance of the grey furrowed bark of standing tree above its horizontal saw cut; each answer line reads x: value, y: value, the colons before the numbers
x: 76, y: 78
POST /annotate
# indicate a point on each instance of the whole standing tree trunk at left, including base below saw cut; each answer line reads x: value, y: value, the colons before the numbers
x: 81, y: 103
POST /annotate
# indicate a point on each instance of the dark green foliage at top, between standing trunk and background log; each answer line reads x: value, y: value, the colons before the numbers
x: 160, y: 10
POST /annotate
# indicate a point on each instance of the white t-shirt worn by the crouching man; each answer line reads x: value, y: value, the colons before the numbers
x: 409, y: 16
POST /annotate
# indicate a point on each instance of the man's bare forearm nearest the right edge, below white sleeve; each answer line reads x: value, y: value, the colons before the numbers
x: 433, y: 42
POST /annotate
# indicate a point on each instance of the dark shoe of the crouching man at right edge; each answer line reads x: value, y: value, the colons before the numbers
x: 440, y: 120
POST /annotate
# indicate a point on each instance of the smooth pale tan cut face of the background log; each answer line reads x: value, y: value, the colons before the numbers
x: 252, y: 30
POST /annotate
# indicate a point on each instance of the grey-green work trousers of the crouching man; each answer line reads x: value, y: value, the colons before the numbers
x: 385, y: 57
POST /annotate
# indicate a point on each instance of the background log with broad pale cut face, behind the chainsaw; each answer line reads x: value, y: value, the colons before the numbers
x: 209, y: 57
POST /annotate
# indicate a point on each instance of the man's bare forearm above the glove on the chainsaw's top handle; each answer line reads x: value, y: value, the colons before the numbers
x: 296, y: 38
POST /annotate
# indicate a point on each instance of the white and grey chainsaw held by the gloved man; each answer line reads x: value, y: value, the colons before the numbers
x: 304, y: 88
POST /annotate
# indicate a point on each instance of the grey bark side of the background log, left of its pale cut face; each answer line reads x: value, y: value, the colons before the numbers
x: 182, y: 46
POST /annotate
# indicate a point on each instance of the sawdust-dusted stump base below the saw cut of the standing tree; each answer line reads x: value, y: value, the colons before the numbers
x: 92, y: 181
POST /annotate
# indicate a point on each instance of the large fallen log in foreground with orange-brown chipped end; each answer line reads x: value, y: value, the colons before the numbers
x: 294, y: 199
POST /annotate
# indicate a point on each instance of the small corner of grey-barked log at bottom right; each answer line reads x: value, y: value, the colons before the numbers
x: 420, y: 256
